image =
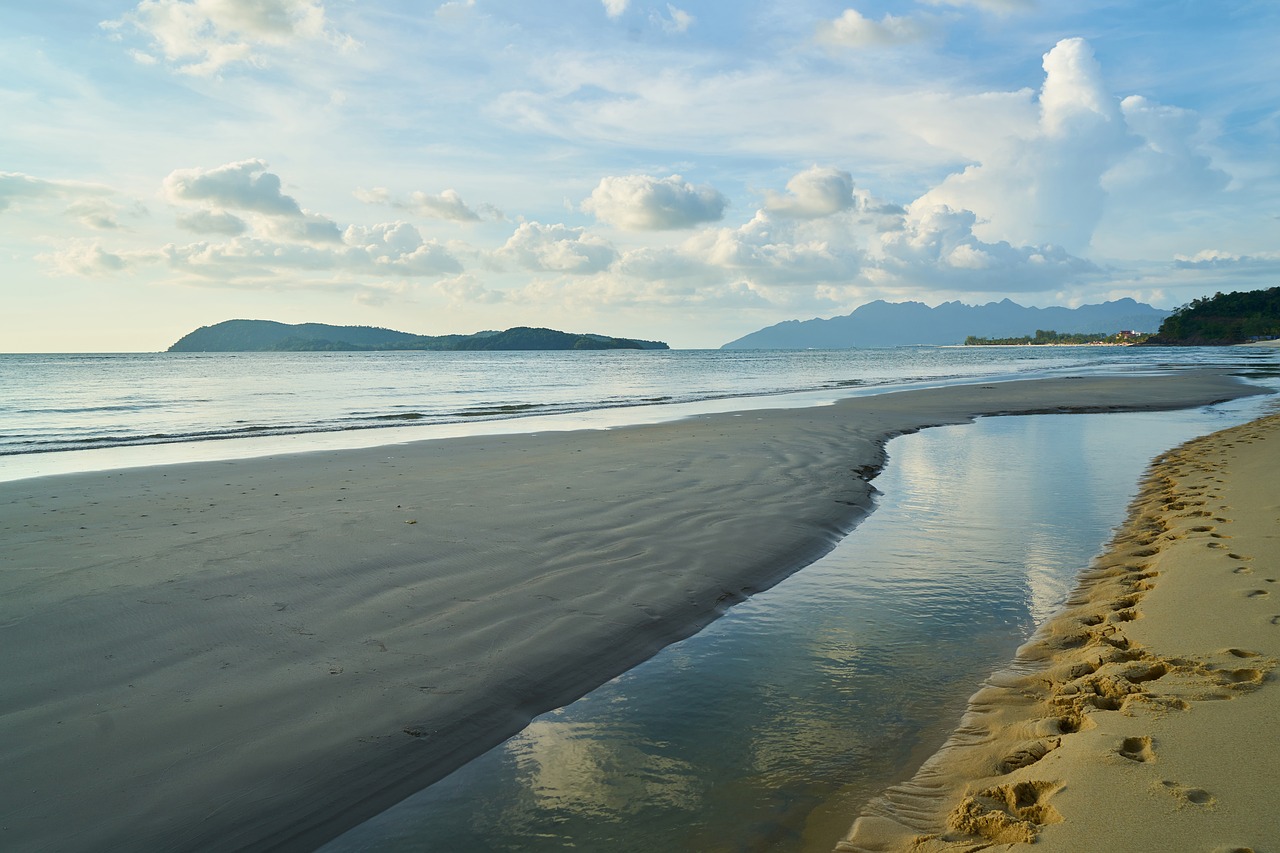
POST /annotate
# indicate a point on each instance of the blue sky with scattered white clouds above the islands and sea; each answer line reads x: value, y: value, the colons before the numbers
x: 687, y: 172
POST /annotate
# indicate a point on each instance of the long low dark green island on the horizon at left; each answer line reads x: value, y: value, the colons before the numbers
x: 268, y: 336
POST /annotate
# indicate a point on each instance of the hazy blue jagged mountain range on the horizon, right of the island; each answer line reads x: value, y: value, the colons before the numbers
x: 895, y: 325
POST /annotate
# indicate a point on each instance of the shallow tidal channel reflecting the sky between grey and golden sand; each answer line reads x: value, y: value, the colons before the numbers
x: 769, y: 731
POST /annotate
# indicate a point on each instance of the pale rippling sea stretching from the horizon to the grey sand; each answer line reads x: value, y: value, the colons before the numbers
x: 53, y: 404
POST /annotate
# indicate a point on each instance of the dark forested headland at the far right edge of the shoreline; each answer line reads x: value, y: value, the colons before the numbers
x: 1222, y: 320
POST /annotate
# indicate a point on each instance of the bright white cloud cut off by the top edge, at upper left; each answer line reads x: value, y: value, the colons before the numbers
x: 203, y: 37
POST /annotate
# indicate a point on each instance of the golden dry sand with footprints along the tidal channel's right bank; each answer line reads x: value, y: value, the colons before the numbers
x: 1142, y: 718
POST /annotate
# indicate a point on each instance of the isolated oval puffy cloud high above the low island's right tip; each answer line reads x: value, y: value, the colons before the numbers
x: 643, y: 203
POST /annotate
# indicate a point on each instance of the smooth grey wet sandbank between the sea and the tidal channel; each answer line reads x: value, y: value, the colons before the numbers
x: 262, y: 654
